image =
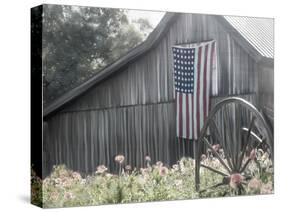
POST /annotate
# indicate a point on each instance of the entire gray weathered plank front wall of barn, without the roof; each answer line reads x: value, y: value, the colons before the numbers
x: 133, y: 111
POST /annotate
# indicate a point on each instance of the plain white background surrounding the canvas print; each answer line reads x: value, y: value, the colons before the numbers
x: 15, y: 102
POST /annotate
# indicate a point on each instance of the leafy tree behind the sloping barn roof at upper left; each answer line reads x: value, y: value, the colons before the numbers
x: 79, y: 41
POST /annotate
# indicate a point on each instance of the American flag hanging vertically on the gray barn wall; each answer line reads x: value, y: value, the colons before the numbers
x: 193, y: 67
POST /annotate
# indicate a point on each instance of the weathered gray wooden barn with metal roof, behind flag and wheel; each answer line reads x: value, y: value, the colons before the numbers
x: 128, y: 107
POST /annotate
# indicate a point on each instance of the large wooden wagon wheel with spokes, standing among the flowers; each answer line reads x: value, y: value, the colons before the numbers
x: 237, y: 128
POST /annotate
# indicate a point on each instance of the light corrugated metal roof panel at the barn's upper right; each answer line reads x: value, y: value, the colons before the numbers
x: 259, y: 32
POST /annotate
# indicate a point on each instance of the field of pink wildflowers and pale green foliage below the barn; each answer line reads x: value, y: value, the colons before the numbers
x: 155, y: 182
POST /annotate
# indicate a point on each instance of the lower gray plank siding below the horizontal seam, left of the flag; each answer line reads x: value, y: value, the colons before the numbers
x: 98, y: 135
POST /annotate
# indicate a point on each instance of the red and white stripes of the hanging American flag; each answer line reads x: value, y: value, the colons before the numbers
x: 192, y: 109
